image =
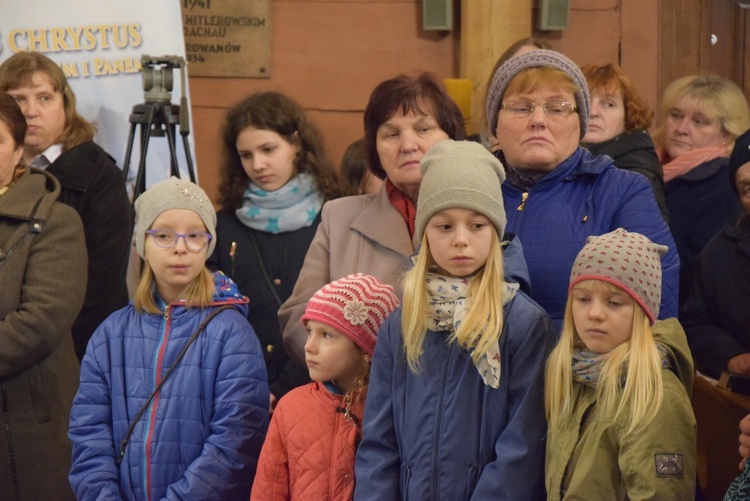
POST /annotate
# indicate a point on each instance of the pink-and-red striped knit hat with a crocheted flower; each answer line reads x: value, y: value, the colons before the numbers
x: 356, y: 305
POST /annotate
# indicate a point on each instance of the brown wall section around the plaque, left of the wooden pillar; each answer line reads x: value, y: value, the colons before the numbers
x: 328, y: 55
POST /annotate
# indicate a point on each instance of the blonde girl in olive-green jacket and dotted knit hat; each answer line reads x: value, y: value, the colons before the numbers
x: 622, y: 377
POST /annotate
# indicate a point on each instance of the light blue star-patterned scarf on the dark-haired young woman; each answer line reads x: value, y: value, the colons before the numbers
x: 293, y: 206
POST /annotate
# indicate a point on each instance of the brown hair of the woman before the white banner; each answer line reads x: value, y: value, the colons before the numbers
x: 19, y: 70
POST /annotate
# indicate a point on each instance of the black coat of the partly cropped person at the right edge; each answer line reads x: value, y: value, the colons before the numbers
x: 716, y: 315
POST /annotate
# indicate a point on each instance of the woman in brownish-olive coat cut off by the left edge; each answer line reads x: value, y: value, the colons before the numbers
x: 42, y: 285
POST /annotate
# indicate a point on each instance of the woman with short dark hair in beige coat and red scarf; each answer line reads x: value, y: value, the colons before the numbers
x: 374, y: 234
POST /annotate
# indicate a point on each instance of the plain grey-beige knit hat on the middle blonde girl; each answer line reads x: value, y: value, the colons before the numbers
x: 461, y: 174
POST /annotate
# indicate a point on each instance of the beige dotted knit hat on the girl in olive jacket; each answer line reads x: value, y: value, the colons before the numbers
x: 630, y: 261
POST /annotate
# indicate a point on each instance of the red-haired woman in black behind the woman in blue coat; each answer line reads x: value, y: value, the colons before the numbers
x: 618, y: 123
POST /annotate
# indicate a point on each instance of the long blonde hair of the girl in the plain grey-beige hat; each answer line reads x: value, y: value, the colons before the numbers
x: 483, y: 323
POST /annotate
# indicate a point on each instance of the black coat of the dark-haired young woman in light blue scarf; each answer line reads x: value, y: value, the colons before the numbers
x: 282, y: 255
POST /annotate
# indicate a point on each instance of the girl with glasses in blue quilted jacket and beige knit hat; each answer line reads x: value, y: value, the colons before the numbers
x: 173, y: 398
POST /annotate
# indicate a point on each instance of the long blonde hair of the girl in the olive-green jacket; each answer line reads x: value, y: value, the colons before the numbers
x: 637, y: 359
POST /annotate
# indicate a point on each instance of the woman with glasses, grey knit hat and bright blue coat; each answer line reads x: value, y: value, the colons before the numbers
x: 556, y: 193
